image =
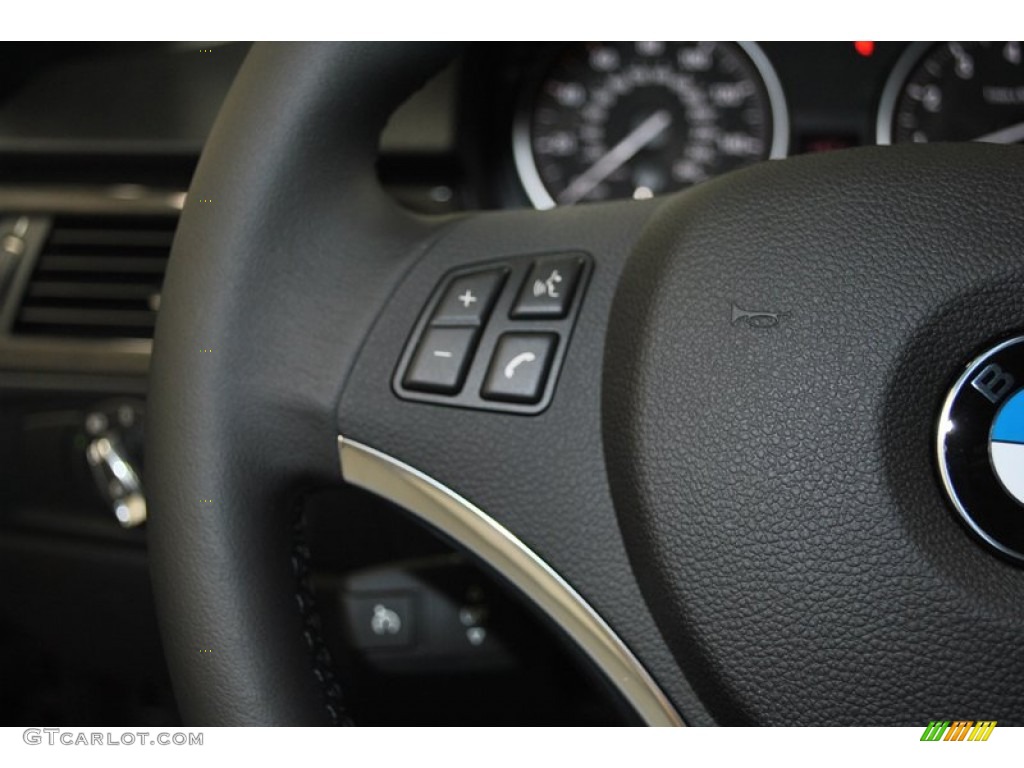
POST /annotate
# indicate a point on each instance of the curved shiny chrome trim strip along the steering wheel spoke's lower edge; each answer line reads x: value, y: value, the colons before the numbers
x: 471, y: 527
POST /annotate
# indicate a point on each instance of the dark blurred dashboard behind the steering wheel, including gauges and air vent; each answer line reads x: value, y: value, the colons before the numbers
x: 98, y: 147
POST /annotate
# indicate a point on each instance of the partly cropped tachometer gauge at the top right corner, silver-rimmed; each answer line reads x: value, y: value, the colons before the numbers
x: 955, y: 93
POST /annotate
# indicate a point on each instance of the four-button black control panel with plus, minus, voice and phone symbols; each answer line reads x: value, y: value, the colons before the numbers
x: 493, y: 336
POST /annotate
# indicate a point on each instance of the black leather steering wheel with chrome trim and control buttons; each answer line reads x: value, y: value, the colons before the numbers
x: 726, y: 493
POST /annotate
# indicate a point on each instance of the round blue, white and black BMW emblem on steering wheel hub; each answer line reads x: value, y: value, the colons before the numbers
x: 982, y: 447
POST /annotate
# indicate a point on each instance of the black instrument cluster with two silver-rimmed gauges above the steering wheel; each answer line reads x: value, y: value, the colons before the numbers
x: 564, y: 124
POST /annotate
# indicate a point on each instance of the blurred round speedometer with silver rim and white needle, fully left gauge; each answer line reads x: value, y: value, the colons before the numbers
x: 635, y: 120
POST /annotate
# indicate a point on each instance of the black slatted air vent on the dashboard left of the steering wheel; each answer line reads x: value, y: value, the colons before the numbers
x: 99, y: 277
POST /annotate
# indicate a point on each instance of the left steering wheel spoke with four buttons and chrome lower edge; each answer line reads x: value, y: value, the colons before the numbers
x: 520, y: 483
